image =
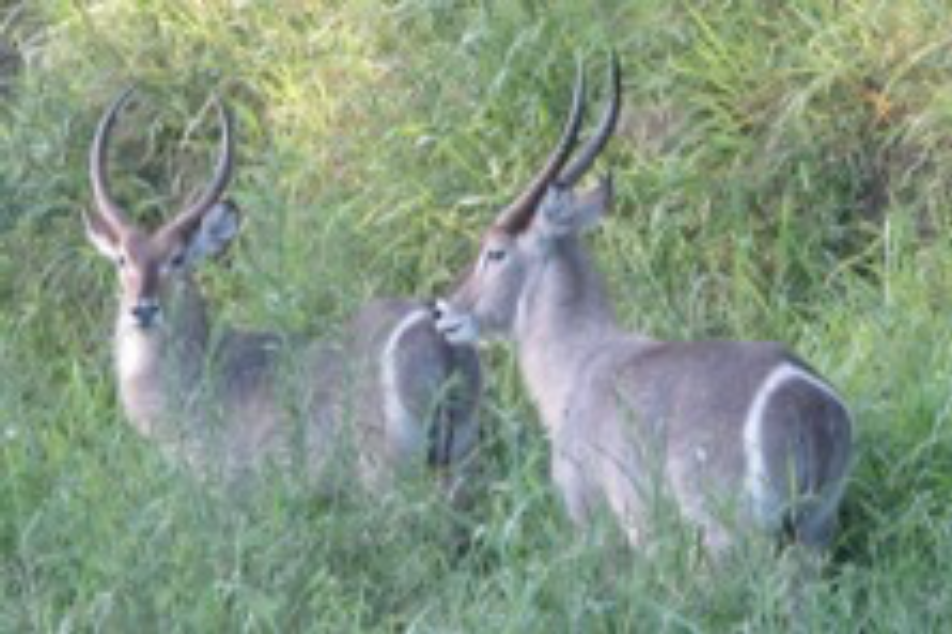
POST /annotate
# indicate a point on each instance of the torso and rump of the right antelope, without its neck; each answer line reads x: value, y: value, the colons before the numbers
x: 684, y: 410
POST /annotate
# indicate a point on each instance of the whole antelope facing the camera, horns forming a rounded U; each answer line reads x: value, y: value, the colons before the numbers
x: 230, y: 401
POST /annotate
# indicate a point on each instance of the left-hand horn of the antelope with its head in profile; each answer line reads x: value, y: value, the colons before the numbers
x: 516, y: 216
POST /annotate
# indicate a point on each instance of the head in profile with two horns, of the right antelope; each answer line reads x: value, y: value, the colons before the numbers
x: 517, y: 245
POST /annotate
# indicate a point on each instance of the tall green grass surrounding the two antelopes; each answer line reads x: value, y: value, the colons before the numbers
x: 784, y: 172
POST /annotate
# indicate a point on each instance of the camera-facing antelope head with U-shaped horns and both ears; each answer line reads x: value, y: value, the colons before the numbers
x: 148, y: 263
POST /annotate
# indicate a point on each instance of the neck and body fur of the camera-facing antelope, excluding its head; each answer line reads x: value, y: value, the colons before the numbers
x: 231, y: 400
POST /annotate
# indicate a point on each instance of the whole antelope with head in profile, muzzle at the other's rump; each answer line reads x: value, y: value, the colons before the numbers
x: 713, y: 422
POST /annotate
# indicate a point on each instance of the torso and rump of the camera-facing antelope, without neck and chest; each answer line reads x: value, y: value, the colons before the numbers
x: 389, y: 392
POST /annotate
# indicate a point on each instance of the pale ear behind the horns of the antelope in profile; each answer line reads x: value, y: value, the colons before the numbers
x: 564, y: 211
